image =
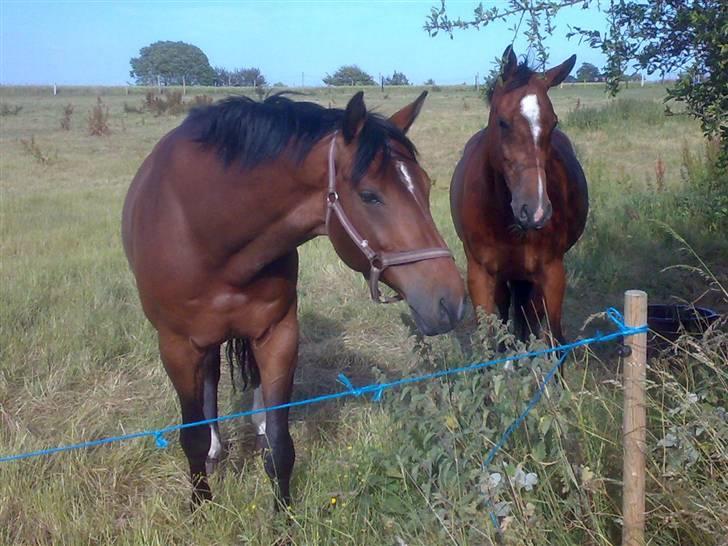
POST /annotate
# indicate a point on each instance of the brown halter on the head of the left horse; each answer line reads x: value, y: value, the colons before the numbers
x: 378, y: 261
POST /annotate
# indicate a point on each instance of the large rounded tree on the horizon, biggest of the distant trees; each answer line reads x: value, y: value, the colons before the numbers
x: 172, y: 63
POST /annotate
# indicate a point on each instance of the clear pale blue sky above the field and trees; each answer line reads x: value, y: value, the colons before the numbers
x: 89, y: 42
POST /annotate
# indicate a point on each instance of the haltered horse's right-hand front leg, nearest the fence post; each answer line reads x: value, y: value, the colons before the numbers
x: 276, y: 354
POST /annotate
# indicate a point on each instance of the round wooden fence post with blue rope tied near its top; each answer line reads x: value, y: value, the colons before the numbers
x: 635, y: 421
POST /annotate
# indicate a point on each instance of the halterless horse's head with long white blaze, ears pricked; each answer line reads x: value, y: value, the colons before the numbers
x: 521, y: 121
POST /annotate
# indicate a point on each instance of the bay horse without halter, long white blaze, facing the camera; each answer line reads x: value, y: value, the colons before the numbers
x: 519, y: 201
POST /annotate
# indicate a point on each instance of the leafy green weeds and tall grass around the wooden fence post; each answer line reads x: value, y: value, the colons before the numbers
x: 558, y: 478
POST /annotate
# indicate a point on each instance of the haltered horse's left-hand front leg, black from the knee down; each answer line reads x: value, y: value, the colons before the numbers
x: 184, y: 365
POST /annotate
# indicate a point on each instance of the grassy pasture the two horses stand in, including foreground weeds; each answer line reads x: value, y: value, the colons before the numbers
x: 78, y: 360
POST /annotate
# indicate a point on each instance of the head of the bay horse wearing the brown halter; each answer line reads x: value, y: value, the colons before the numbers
x: 383, y: 194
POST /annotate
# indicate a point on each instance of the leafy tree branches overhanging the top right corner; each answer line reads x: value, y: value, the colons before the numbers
x: 664, y: 37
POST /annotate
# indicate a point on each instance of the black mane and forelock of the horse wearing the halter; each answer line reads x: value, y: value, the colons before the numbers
x: 252, y: 132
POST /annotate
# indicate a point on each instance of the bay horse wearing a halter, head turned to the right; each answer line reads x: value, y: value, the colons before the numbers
x: 211, y: 226
